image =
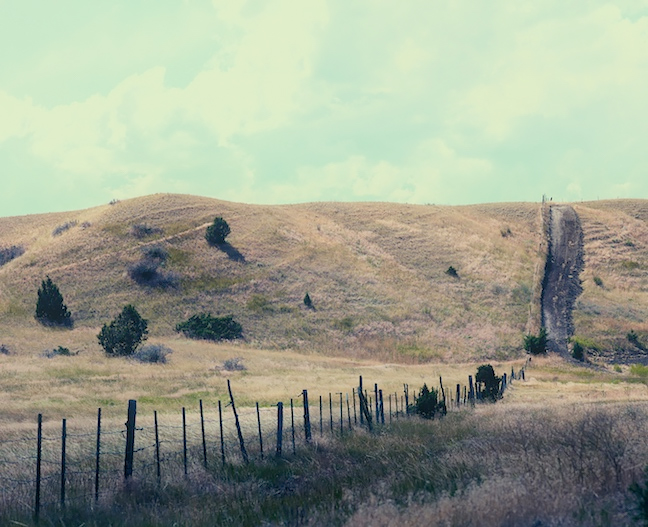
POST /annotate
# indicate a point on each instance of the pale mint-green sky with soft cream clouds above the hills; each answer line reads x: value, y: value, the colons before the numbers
x: 286, y: 101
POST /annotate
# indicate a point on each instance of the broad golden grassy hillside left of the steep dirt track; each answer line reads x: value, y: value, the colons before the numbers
x: 375, y: 272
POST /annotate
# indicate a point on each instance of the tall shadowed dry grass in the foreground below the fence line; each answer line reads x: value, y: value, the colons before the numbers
x: 500, y: 465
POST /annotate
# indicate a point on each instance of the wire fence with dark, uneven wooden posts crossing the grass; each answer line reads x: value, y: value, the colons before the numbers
x: 55, y: 468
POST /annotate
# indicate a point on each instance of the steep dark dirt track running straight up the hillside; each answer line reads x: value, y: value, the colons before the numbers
x: 561, y: 285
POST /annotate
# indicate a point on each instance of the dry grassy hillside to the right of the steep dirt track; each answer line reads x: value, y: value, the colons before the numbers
x: 615, y: 279
